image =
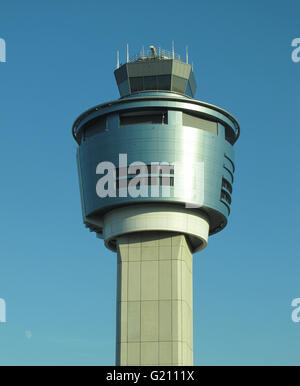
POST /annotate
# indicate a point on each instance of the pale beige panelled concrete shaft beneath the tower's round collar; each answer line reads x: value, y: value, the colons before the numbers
x: 154, y: 300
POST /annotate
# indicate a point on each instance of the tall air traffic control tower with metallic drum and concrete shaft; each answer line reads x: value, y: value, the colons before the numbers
x: 156, y: 172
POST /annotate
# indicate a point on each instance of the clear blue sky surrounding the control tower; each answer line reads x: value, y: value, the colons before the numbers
x: 58, y: 280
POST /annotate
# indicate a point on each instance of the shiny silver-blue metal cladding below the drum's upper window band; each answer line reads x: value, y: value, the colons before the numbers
x: 172, y: 143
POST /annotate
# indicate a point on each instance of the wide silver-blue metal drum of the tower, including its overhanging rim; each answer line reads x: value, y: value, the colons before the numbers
x: 192, y: 133
